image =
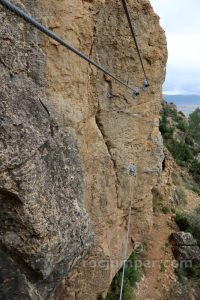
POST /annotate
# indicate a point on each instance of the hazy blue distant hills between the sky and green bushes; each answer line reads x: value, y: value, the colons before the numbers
x: 184, y: 103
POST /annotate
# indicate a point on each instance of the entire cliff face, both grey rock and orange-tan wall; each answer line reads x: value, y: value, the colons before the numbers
x: 68, y: 136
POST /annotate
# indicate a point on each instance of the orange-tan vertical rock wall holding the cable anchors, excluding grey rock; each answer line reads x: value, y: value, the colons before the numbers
x: 113, y: 129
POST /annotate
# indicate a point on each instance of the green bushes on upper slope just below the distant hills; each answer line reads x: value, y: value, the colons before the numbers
x: 186, y: 150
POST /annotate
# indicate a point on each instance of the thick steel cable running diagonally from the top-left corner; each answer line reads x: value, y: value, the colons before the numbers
x: 13, y: 8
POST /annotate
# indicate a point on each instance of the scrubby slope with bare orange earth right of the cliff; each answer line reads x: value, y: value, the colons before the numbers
x: 172, y: 249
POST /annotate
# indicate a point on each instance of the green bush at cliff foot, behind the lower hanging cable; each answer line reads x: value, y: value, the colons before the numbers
x: 131, y: 277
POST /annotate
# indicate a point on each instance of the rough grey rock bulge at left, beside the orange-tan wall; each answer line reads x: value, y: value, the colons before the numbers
x: 44, y: 229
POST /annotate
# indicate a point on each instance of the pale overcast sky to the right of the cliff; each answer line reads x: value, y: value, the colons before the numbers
x: 181, y: 21
